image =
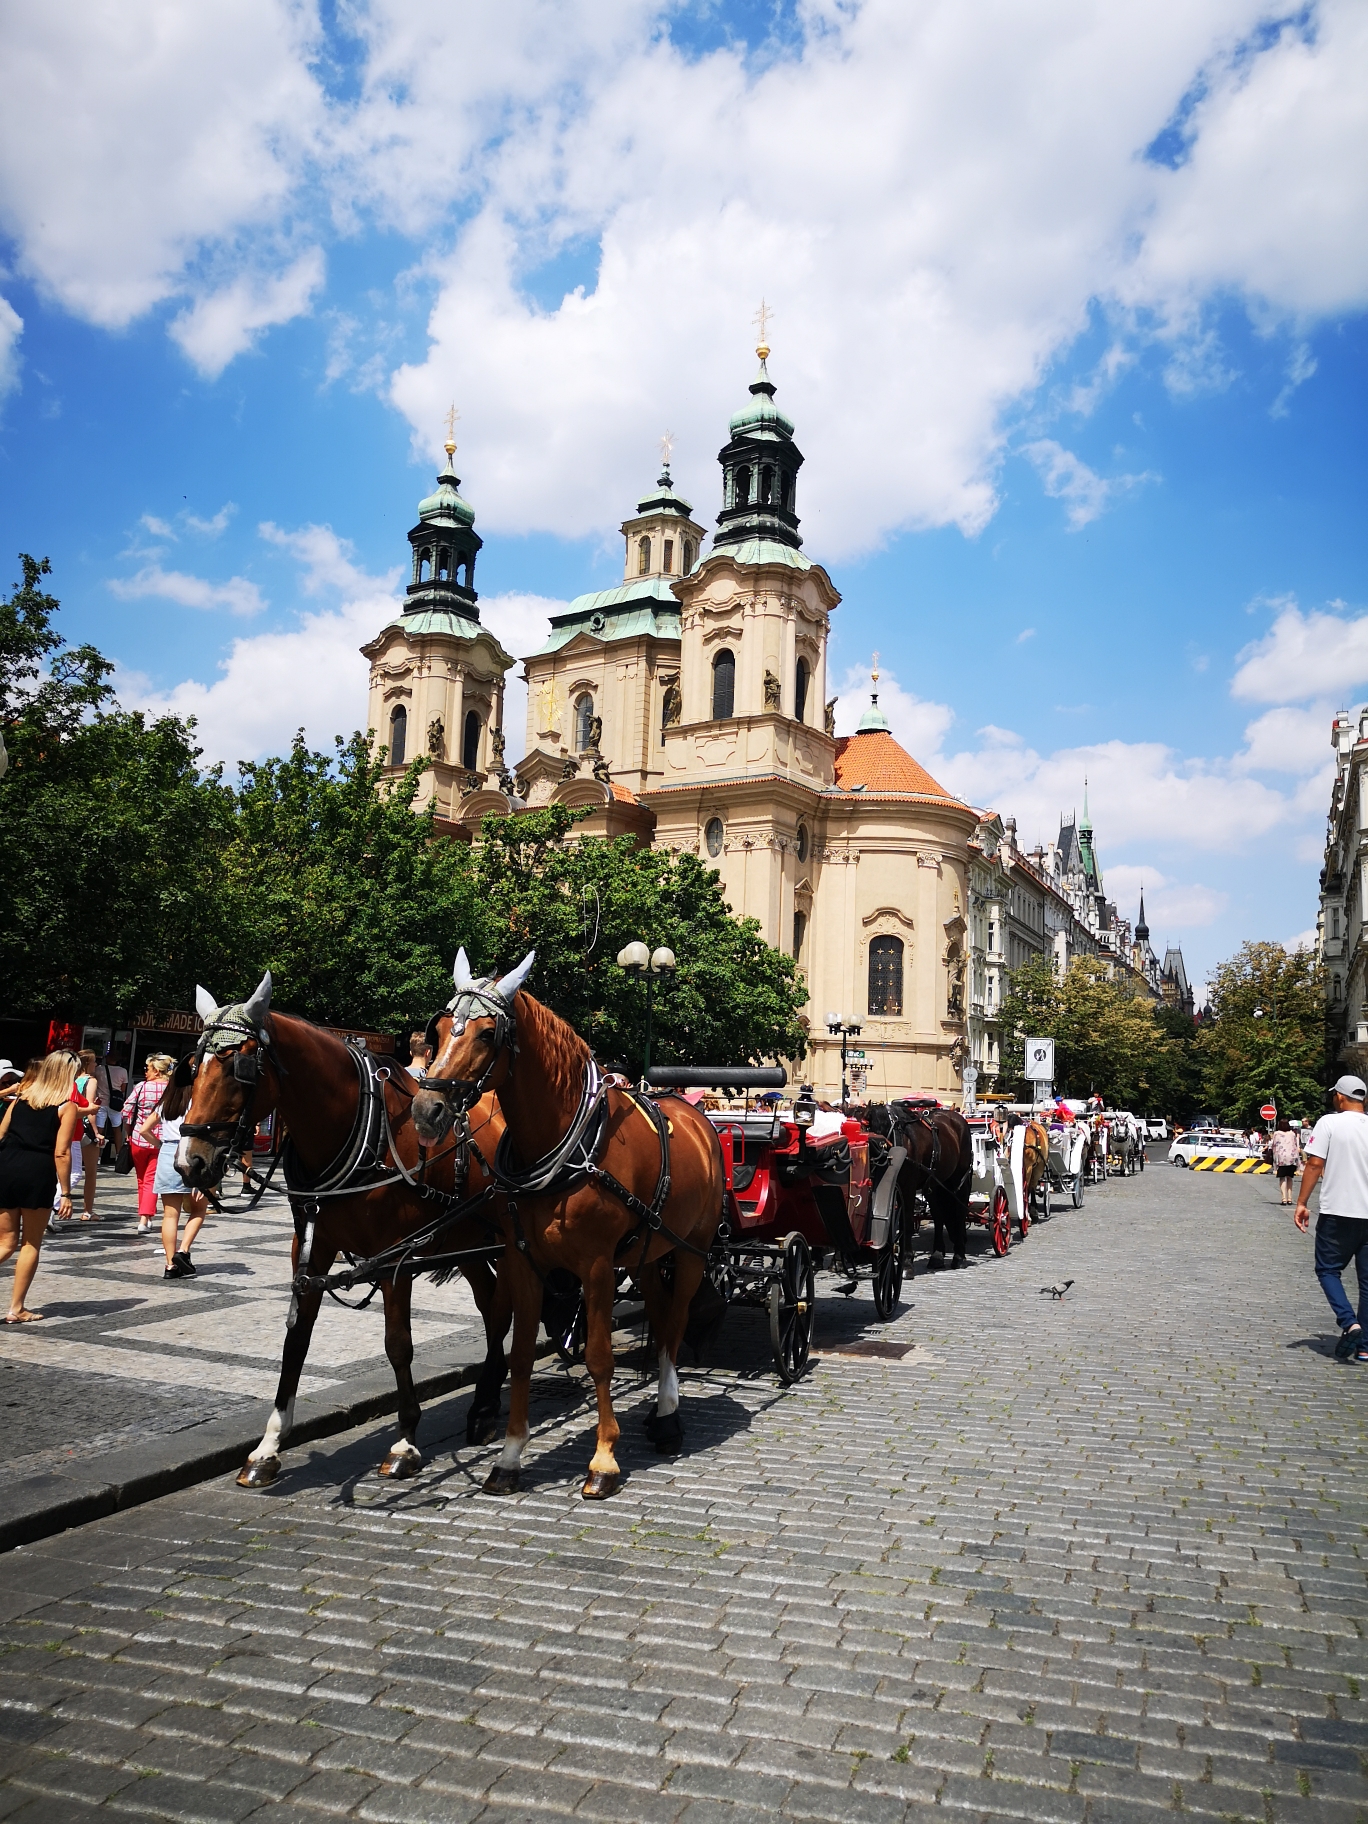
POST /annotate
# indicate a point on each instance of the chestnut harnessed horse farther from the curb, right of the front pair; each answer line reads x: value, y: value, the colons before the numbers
x: 597, y: 1179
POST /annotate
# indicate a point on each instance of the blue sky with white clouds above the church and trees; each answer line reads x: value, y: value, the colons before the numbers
x: 1070, y: 315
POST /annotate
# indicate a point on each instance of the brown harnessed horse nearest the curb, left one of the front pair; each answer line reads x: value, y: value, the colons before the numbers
x: 351, y: 1132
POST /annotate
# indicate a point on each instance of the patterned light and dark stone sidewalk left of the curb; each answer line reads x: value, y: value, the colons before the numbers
x: 123, y: 1354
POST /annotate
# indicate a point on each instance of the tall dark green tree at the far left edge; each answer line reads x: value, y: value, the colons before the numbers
x: 110, y: 831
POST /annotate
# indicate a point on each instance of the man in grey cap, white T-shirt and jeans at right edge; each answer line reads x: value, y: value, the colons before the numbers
x: 1338, y: 1161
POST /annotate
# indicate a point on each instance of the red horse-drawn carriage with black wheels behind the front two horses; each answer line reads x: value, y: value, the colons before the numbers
x: 805, y: 1192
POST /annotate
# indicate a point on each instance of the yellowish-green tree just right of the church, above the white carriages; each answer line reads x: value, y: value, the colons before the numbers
x: 1108, y: 1039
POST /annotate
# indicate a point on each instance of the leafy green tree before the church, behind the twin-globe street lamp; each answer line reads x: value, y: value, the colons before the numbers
x: 579, y: 902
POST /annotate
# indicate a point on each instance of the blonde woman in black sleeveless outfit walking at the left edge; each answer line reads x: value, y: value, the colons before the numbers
x: 37, y: 1135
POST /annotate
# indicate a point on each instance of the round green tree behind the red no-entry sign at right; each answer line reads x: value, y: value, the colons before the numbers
x: 1263, y: 1037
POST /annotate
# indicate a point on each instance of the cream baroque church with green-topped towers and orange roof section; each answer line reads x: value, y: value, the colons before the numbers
x: 689, y: 707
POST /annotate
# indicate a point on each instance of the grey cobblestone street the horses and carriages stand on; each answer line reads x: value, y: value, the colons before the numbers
x: 1088, y: 1560
